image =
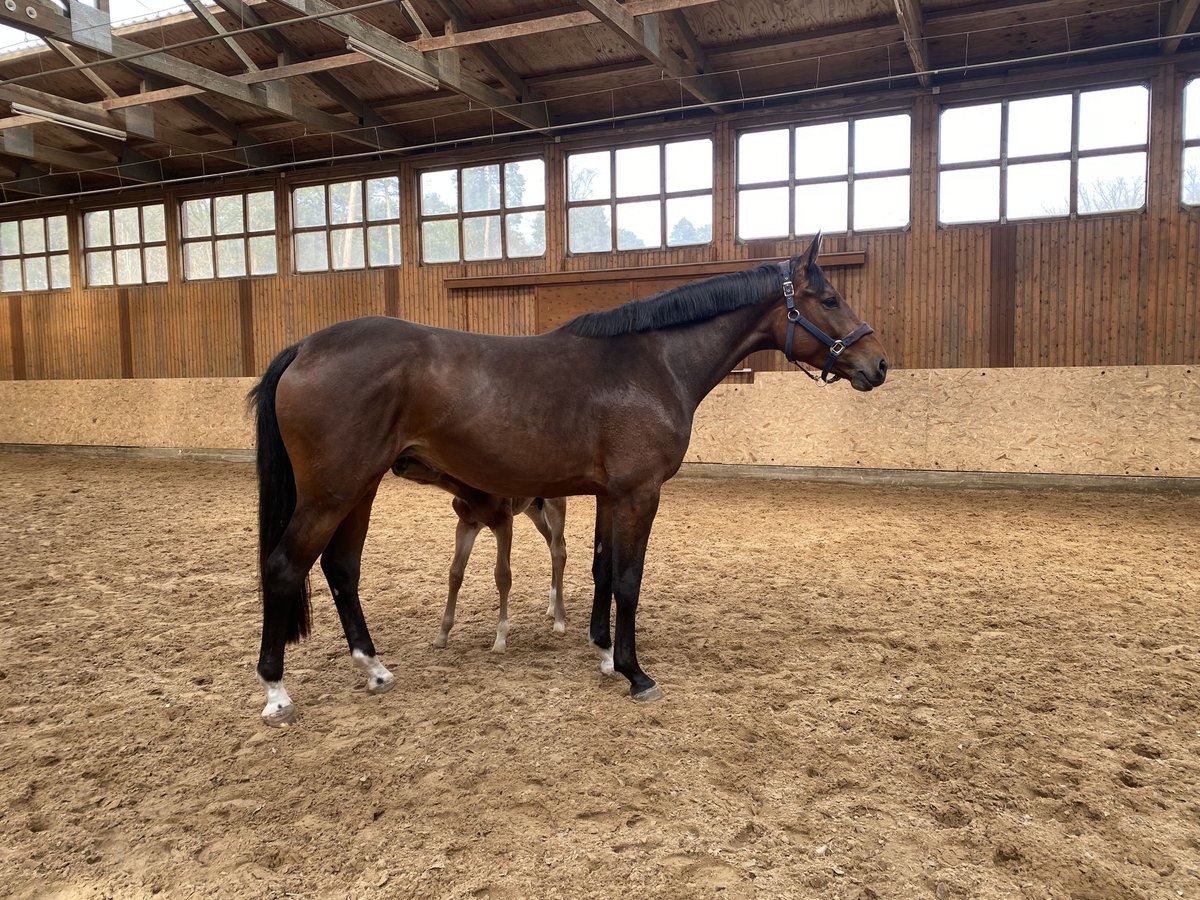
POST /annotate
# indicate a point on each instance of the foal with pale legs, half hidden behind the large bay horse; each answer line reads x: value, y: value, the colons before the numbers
x: 478, y: 511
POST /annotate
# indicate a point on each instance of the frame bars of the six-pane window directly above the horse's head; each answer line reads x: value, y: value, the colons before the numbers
x: 850, y: 178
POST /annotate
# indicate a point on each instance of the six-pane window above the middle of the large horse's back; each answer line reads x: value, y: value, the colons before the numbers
x: 490, y: 212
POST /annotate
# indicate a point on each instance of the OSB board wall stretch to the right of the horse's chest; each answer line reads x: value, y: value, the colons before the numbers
x: 1137, y: 421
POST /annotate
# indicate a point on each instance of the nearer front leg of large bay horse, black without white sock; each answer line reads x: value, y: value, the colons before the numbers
x: 633, y: 517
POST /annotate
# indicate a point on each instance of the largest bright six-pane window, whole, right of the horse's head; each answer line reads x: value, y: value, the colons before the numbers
x: 1061, y: 155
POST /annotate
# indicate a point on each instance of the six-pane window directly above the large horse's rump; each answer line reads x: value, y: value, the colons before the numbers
x: 346, y: 225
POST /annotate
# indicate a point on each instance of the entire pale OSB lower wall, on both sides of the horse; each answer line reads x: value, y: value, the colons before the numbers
x: 1138, y: 421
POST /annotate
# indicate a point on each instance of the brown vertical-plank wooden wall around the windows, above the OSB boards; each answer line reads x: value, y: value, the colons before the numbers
x: 1102, y: 291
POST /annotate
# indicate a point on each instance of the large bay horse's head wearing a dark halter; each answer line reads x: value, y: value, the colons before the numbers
x: 818, y: 327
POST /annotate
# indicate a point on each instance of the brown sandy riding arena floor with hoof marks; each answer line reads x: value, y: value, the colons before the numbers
x: 869, y: 694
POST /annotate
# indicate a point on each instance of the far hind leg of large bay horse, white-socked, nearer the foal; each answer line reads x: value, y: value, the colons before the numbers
x: 341, y: 562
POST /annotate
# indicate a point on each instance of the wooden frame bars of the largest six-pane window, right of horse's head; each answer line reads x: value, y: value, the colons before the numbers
x: 1073, y: 155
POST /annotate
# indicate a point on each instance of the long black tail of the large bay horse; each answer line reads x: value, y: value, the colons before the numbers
x: 277, y: 487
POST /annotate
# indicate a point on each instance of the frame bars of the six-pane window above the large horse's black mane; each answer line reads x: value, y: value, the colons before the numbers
x: 613, y: 202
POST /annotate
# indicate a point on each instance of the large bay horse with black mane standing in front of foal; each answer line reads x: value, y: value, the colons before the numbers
x: 602, y: 406
